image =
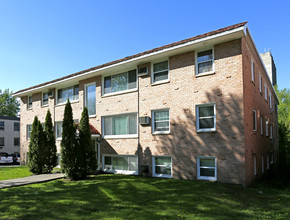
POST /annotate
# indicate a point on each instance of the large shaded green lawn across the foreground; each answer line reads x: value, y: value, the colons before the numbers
x: 134, y: 197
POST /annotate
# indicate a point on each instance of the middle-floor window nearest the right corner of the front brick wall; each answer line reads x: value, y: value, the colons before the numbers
x: 206, y: 117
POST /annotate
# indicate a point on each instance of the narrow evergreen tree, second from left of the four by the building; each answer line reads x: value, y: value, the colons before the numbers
x: 50, y: 150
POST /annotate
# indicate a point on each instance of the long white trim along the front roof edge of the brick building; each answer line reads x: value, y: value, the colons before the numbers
x: 242, y: 28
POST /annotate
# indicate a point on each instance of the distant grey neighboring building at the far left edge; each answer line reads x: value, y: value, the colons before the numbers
x: 9, y: 134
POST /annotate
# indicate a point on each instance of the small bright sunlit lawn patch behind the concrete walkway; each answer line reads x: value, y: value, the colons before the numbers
x: 7, y: 173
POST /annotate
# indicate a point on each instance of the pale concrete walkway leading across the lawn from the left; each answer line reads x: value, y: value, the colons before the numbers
x: 30, y: 180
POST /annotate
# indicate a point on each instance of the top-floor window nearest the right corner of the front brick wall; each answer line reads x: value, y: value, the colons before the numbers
x: 204, y: 62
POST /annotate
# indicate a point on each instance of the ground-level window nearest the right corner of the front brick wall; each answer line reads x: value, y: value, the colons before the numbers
x: 206, y: 168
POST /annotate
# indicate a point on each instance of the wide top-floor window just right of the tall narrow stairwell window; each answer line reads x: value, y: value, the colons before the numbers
x: 120, y: 82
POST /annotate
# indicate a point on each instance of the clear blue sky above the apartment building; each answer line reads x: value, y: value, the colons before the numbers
x: 48, y: 39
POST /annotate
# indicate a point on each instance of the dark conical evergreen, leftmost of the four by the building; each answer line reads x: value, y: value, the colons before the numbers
x: 37, y: 145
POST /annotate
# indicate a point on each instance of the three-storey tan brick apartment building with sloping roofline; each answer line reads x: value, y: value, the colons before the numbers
x: 200, y: 108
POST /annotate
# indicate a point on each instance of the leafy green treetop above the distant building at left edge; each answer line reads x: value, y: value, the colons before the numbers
x: 9, y: 106
